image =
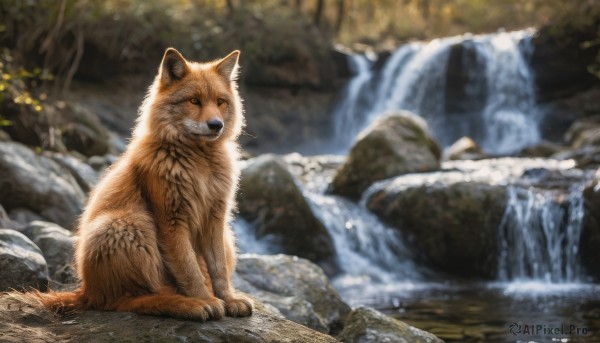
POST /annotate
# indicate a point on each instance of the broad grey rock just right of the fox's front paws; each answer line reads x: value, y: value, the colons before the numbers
x: 296, y: 287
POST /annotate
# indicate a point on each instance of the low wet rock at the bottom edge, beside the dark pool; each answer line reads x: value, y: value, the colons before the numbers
x: 365, y: 325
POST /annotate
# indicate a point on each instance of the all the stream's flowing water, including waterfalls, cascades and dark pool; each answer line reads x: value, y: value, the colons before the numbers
x: 541, y: 292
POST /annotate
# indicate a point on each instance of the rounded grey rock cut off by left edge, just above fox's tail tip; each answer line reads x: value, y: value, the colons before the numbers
x: 21, y: 262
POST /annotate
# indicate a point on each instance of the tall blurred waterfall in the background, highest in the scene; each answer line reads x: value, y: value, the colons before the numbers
x: 477, y: 86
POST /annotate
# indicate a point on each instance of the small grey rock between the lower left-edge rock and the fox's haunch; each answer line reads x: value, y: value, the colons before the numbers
x: 55, y: 242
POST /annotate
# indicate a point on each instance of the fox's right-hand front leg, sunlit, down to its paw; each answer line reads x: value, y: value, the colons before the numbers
x: 219, y: 254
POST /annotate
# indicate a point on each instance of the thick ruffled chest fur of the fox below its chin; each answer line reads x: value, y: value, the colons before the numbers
x: 189, y: 187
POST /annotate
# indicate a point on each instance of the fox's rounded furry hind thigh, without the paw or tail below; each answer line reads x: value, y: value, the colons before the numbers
x: 117, y: 254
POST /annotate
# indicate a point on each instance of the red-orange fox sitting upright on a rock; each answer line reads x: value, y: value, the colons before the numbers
x: 154, y: 237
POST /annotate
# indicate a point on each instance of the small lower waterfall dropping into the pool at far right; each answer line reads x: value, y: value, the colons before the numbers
x: 540, y: 235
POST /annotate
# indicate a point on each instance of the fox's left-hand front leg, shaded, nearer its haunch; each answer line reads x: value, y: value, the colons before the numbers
x: 181, y: 260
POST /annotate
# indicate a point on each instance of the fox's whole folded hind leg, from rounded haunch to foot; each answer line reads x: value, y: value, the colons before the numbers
x: 122, y: 269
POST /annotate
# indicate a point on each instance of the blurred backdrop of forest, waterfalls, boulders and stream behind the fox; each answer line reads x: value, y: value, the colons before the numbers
x: 474, y: 205
